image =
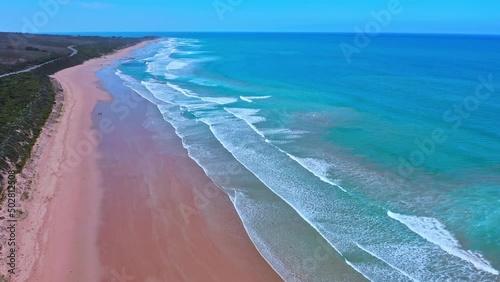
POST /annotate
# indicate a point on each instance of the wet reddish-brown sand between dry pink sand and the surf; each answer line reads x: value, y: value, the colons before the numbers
x: 161, y: 207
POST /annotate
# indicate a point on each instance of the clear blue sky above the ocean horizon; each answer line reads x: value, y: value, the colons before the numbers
x: 421, y: 16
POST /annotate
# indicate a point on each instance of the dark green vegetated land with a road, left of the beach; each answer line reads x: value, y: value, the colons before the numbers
x: 26, y: 99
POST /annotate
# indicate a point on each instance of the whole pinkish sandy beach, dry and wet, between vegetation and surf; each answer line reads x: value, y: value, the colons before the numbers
x: 92, y: 217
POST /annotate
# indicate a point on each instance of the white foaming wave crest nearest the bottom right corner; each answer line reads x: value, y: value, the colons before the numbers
x: 435, y: 232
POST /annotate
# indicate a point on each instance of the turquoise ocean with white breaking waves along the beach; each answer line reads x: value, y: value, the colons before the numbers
x: 391, y: 158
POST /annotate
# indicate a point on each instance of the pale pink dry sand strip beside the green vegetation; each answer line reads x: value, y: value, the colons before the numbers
x: 56, y: 221
